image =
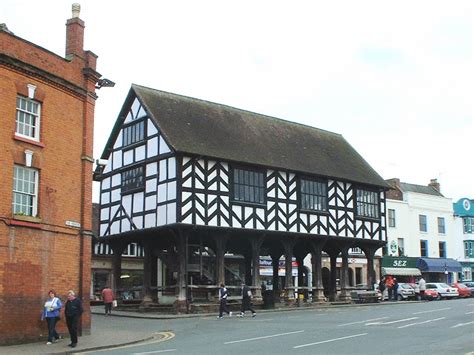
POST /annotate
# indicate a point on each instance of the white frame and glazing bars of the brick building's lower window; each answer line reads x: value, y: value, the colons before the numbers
x: 21, y: 208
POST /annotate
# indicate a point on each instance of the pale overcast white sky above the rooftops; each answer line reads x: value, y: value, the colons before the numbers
x: 395, y: 78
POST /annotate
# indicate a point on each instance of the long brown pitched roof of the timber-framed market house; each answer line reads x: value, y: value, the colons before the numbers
x: 218, y: 131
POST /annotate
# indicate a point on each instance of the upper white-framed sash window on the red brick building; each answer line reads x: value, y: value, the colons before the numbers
x: 27, y: 118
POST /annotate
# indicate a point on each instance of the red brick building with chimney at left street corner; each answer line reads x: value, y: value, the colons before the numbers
x: 46, y: 138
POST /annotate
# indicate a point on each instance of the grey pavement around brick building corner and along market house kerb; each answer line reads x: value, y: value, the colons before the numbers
x: 111, y: 337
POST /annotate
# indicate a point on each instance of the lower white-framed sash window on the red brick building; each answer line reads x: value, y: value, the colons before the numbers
x: 25, y: 191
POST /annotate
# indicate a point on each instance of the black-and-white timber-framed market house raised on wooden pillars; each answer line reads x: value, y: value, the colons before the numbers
x: 207, y: 190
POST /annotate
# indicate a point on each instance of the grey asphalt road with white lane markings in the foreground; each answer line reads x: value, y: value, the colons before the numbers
x: 438, y: 327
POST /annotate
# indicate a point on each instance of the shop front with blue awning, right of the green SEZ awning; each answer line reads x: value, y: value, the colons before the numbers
x: 439, y: 269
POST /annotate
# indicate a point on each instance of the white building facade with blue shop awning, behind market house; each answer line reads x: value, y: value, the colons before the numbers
x: 420, y: 224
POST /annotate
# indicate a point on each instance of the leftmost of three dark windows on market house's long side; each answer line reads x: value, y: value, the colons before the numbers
x: 249, y: 186
